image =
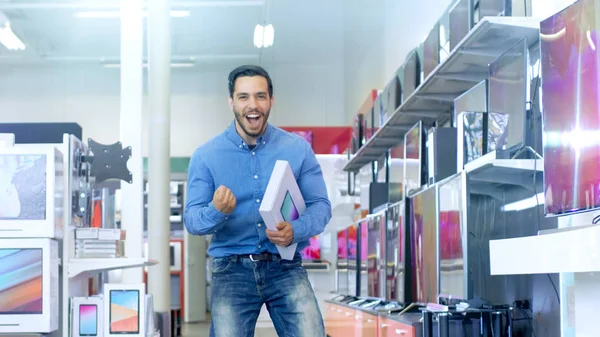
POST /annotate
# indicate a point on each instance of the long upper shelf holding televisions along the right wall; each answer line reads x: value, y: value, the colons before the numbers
x: 466, y: 65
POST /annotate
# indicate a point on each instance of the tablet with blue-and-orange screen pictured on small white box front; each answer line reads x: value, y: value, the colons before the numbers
x: 124, y: 312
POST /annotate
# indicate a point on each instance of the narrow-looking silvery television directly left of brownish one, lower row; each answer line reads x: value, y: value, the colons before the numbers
x: 396, y: 257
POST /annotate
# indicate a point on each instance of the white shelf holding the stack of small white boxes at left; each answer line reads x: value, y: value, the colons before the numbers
x: 78, y: 266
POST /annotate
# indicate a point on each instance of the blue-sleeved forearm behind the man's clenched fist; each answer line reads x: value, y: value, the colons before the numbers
x: 203, y: 220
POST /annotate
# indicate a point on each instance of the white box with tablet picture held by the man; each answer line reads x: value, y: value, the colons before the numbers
x: 282, y: 201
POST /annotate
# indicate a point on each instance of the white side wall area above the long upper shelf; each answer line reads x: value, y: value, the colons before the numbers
x: 377, y: 37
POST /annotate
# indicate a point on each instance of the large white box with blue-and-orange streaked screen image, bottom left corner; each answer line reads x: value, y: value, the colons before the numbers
x: 29, y: 286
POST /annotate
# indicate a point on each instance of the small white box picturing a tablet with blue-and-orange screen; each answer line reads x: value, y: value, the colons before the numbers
x: 124, y: 310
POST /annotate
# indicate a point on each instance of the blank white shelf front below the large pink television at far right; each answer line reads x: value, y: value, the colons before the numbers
x: 573, y: 250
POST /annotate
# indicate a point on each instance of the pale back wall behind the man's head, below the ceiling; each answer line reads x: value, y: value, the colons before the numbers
x: 306, y: 95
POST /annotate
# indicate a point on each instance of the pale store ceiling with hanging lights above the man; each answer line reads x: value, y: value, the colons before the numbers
x: 305, y: 31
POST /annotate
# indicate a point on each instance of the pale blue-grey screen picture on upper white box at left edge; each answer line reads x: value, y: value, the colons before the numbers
x: 22, y: 187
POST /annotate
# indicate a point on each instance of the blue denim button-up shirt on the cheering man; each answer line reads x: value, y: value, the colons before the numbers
x: 227, y: 160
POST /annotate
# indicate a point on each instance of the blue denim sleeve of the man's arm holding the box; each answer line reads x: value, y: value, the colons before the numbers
x: 318, y: 207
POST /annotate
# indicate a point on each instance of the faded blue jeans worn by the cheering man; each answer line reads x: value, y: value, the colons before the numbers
x: 241, y: 286
